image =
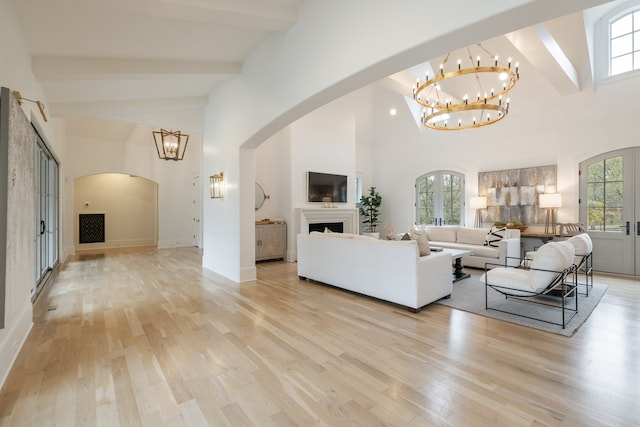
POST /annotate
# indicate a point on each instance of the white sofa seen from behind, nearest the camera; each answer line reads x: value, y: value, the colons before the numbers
x: 389, y: 270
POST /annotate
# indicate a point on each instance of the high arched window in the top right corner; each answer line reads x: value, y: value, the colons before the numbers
x: 624, y: 48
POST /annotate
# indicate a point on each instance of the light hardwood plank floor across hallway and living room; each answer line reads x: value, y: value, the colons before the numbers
x: 145, y: 337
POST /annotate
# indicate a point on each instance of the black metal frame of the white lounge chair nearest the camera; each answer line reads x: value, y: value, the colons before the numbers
x: 562, y: 287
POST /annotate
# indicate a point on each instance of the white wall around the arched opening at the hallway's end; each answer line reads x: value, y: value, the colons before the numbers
x: 108, y: 146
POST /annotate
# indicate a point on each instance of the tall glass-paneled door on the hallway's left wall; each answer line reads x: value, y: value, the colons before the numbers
x: 46, y: 218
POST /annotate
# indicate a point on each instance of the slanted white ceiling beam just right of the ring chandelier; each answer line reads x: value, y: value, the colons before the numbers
x: 543, y: 52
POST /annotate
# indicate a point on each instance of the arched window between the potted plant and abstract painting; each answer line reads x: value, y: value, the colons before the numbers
x: 439, y: 198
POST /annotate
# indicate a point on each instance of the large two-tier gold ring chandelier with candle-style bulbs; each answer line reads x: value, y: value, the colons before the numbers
x: 466, y: 97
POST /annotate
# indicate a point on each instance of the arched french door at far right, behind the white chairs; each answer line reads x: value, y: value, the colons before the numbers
x: 610, y: 208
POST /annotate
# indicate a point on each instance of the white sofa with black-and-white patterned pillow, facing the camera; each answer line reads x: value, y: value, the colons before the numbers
x: 473, y: 239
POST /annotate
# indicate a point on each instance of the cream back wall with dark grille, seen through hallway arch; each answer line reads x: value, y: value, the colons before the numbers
x: 130, y: 205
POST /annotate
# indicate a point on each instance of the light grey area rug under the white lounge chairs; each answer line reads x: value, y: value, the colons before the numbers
x: 469, y: 295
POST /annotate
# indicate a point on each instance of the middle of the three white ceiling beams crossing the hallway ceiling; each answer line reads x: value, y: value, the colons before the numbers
x: 65, y: 68
